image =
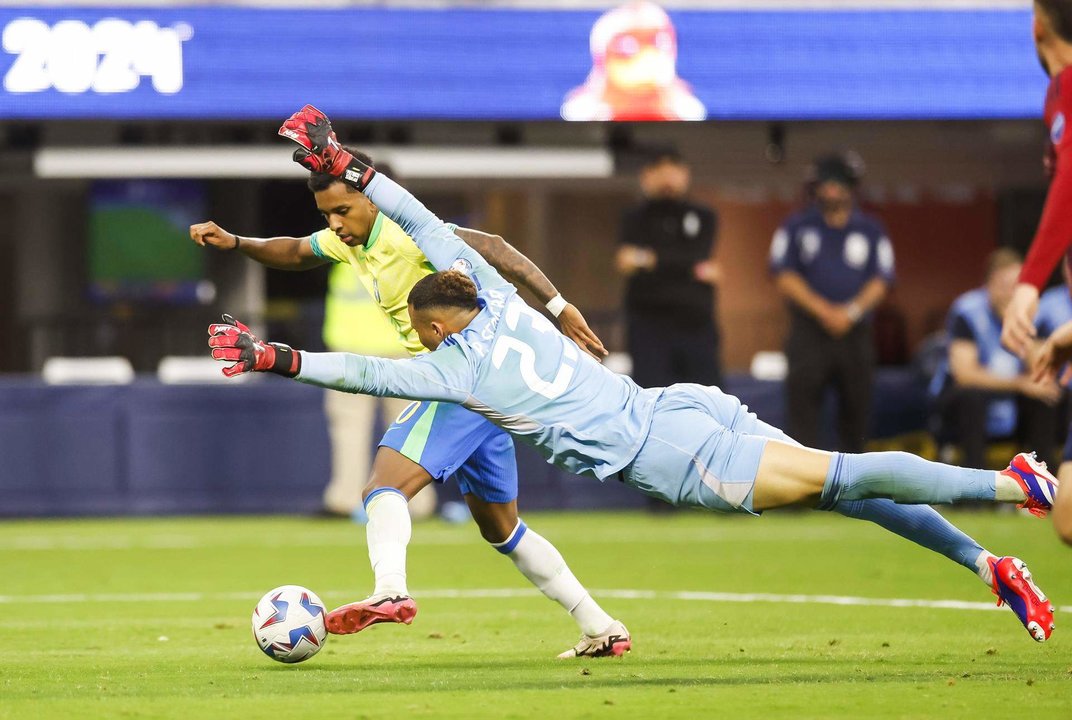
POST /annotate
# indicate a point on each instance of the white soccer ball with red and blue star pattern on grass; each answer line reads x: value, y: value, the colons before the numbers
x: 289, y: 624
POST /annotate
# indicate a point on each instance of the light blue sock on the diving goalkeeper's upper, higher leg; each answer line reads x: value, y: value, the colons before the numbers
x: 903, y: 478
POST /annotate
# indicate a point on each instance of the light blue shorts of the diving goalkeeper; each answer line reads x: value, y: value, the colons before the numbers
x: 703, y: 451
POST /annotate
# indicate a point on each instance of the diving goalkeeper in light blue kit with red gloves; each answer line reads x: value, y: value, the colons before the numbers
x: 689, y: 445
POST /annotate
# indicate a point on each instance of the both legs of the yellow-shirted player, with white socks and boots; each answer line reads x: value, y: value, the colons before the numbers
x: 396, y: 479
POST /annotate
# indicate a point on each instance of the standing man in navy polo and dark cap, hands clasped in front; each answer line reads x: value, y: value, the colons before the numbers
x: 835, y: 265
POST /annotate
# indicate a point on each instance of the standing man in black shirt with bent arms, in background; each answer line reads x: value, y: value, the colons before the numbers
x: 666, y: 253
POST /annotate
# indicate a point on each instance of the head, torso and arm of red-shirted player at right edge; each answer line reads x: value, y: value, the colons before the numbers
x: 1053, y: 39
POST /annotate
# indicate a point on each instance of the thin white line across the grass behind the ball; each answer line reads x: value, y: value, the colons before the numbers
x: 508, y: 593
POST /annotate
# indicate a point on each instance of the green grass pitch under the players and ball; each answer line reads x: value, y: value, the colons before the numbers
x: 151, y: 619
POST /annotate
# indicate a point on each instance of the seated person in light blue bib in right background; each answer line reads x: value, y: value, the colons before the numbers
x: 985, y: 393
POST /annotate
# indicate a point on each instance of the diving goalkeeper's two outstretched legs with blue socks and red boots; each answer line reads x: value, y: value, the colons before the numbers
x: 872, y: 486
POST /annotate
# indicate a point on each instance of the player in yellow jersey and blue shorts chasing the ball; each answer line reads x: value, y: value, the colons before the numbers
x: 431, y: 442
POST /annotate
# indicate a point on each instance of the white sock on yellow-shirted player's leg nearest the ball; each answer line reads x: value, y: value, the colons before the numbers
x: 389, y: 533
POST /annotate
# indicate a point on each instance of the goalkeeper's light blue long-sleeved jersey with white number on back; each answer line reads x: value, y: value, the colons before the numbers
x: 511, y: 364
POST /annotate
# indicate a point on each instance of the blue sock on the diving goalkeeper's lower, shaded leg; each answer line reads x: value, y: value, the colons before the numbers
x: 919, y: 523
